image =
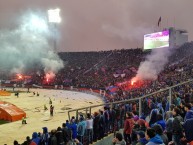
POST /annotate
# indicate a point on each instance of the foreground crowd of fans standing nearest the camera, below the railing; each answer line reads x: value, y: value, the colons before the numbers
x: 163, y: 127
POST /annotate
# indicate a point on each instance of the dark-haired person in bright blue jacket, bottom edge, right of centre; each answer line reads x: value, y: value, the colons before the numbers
x: 152, y: 138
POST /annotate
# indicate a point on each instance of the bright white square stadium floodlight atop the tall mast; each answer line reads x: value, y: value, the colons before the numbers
x: 54, y: 16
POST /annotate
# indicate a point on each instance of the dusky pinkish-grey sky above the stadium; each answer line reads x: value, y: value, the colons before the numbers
x: 93, y: 25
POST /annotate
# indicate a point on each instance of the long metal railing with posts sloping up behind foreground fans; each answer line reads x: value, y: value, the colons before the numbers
x: 139, y: 99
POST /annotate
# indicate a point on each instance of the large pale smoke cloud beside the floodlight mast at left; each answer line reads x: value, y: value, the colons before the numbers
x: 29, y: 45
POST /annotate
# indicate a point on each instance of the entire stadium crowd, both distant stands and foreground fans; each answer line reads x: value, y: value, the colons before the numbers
x: 160, y: 121
